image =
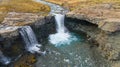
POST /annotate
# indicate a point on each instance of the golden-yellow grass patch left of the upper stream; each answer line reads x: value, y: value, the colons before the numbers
x: 27, y: 6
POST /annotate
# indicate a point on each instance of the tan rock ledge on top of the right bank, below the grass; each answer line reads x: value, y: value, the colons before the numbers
x: 103, y: 15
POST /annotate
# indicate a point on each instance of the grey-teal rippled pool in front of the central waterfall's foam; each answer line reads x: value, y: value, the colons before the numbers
x: 76, y: 54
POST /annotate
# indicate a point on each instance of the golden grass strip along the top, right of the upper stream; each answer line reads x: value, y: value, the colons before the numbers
x: 75, y: 4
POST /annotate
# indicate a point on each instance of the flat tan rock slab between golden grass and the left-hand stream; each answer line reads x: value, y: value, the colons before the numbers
x: 20, y: 19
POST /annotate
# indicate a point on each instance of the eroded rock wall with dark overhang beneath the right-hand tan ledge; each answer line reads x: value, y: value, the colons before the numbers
x: 107, y: 43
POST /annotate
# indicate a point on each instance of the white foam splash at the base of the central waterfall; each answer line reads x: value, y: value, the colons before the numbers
x: 59, y: 39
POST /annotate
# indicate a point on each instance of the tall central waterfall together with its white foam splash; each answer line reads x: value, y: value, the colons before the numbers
x: 62, y: 36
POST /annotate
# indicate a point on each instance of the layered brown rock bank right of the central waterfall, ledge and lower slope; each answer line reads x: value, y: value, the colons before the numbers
x: 106, y: 17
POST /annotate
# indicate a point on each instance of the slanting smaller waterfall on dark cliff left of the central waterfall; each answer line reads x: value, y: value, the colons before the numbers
x: 30, y: 39
